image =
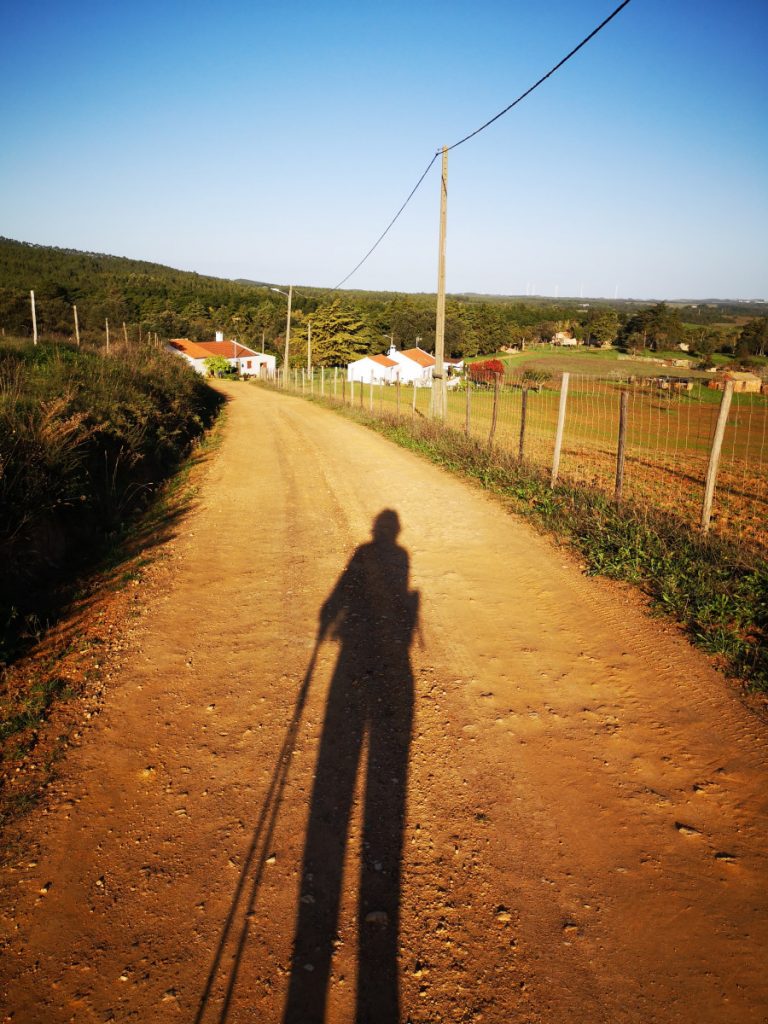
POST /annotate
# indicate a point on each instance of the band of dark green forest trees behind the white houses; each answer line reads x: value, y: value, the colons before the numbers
x: 149, y: 298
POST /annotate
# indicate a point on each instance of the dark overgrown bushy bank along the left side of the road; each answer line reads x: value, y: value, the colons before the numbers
x: 84, y: 441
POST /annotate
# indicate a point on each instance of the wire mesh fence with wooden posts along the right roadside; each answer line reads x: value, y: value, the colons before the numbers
x: 649, y: 441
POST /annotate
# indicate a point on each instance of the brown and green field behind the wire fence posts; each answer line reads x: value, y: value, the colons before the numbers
x: 669, y: 435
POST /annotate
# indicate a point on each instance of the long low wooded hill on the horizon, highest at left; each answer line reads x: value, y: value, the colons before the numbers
x: 150, y: 297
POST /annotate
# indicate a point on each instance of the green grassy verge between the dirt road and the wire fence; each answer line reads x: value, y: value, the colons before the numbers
x: 716, y: 589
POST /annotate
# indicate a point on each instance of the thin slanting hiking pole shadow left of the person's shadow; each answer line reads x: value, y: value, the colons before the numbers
x: 244, y: 899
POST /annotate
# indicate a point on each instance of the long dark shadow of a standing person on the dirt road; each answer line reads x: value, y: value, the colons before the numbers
x: 373, y: 614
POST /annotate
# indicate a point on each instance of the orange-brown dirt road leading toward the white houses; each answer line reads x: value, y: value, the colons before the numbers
x: 375, y: 720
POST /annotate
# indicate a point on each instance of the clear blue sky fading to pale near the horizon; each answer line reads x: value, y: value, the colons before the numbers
x: 277, y: 142
